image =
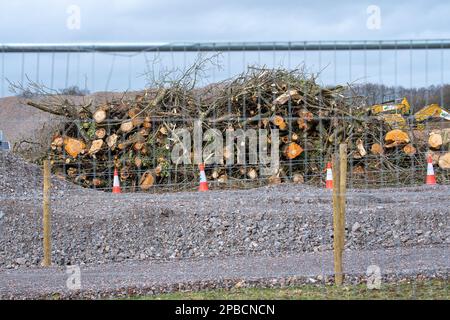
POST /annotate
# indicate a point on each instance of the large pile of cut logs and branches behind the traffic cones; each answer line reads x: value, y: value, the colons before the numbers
x: 135, y: 133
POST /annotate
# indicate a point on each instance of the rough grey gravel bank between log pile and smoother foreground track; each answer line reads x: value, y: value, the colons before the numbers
x: 95, y: 229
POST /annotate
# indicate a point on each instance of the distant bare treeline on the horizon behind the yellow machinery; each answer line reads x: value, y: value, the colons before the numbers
x: 417, y: 97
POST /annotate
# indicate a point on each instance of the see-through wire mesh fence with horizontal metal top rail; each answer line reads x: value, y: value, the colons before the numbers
x: 267, y: 117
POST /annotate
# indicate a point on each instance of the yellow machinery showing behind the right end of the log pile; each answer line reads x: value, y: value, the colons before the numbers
x: 396, y: 113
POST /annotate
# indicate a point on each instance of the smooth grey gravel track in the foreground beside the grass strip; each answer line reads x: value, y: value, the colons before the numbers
x: 138, y: 277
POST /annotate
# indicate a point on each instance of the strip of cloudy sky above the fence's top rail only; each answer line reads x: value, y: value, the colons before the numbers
x: 209, y: 20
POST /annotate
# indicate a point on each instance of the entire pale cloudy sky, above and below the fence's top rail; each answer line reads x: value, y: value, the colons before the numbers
x: 226, y: 20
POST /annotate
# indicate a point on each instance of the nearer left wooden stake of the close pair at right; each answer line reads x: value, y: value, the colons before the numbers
x: 336, y: 222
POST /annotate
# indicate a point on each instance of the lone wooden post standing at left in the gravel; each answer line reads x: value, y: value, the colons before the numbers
x: 46, y: 217
